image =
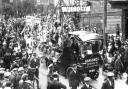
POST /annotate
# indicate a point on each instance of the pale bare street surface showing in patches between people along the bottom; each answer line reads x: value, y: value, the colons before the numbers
x: 119, y: 83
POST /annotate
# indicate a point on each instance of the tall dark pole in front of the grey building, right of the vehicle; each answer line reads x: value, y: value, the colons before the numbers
x: 105, y: 22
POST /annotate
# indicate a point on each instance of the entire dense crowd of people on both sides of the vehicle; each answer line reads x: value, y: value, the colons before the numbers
x: 19, y: 62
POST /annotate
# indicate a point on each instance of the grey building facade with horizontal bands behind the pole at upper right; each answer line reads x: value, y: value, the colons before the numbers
x: 97, y: 15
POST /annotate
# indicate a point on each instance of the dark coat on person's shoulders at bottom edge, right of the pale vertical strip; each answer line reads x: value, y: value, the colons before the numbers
x: 56, y: 85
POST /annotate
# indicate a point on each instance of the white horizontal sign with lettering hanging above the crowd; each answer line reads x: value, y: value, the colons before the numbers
x: 76, y: 9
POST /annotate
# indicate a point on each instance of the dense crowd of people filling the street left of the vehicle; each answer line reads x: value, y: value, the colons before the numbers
x: 19, y: 63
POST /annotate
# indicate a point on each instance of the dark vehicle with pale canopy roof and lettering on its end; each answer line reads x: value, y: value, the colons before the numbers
x: 83, y: 52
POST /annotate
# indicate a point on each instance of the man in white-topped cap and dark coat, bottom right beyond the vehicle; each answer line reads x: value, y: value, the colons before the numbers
x: 109, y: 81
